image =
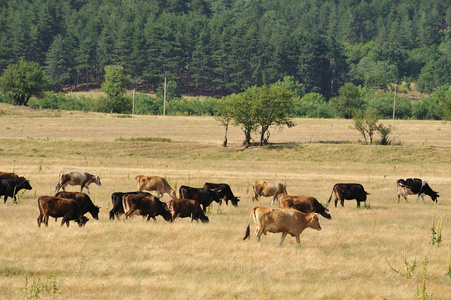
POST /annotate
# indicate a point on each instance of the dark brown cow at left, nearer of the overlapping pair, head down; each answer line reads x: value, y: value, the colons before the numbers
x: 57, y: 207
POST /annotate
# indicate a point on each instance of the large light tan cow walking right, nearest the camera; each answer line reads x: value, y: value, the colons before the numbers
x: 285, y: 220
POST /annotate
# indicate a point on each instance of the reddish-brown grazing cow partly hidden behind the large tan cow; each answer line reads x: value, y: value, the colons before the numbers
x: 305, y: 204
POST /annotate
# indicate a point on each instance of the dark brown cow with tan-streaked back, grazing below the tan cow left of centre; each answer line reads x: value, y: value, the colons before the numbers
x: 145, y: 205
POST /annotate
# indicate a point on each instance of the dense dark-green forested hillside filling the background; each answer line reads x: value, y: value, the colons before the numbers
x: 224, y: 46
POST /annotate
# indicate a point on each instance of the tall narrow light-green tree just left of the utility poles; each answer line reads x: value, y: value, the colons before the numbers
x: 115, y: 86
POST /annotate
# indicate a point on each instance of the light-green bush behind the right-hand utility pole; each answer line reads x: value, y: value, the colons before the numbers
x: 383, y: 105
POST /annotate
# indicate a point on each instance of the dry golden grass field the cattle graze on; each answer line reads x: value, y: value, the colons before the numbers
x: 349, y: 259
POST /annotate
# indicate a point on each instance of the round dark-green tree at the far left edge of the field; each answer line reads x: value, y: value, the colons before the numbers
x: 22, y: 81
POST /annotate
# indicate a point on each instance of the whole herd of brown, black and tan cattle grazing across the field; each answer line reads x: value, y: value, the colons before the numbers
x: 294, y: 214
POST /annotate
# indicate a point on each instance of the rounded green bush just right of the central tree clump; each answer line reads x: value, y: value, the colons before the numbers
x: 313, y: 105
